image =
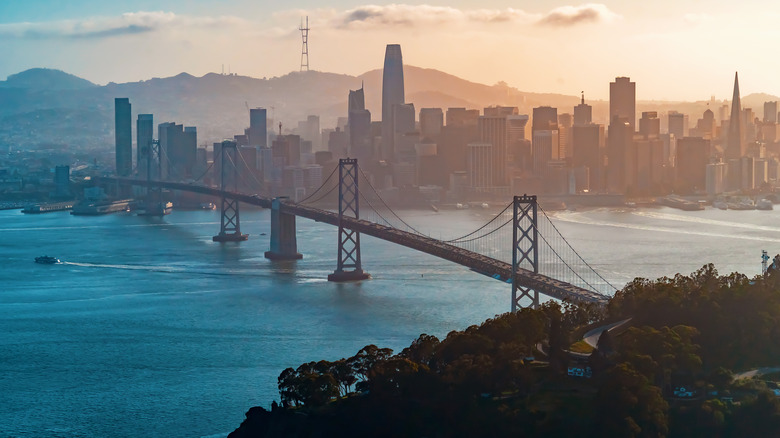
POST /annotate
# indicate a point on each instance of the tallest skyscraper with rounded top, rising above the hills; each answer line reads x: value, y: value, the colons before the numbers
x: 392, y: 94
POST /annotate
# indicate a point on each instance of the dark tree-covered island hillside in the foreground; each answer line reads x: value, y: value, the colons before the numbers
x: 667, y: 371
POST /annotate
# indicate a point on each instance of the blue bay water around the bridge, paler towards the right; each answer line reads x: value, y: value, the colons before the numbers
x: 150, y: 329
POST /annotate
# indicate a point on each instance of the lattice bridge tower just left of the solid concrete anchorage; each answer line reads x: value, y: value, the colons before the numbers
x: 230, y: 227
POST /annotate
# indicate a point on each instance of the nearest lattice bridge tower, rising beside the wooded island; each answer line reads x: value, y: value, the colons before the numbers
x: 525, y: 237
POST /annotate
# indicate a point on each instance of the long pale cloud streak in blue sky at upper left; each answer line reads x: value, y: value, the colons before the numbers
x: 130, y: 23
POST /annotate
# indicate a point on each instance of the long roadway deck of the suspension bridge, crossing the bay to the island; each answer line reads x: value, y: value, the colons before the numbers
x: 478, y: 262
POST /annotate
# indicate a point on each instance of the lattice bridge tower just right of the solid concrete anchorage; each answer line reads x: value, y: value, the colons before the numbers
x: 349, y: 240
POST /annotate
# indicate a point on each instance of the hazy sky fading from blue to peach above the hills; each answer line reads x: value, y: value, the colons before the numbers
x: 673, y: 49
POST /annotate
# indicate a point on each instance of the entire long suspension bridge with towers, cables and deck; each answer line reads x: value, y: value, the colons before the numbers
x: 520, y: 245
